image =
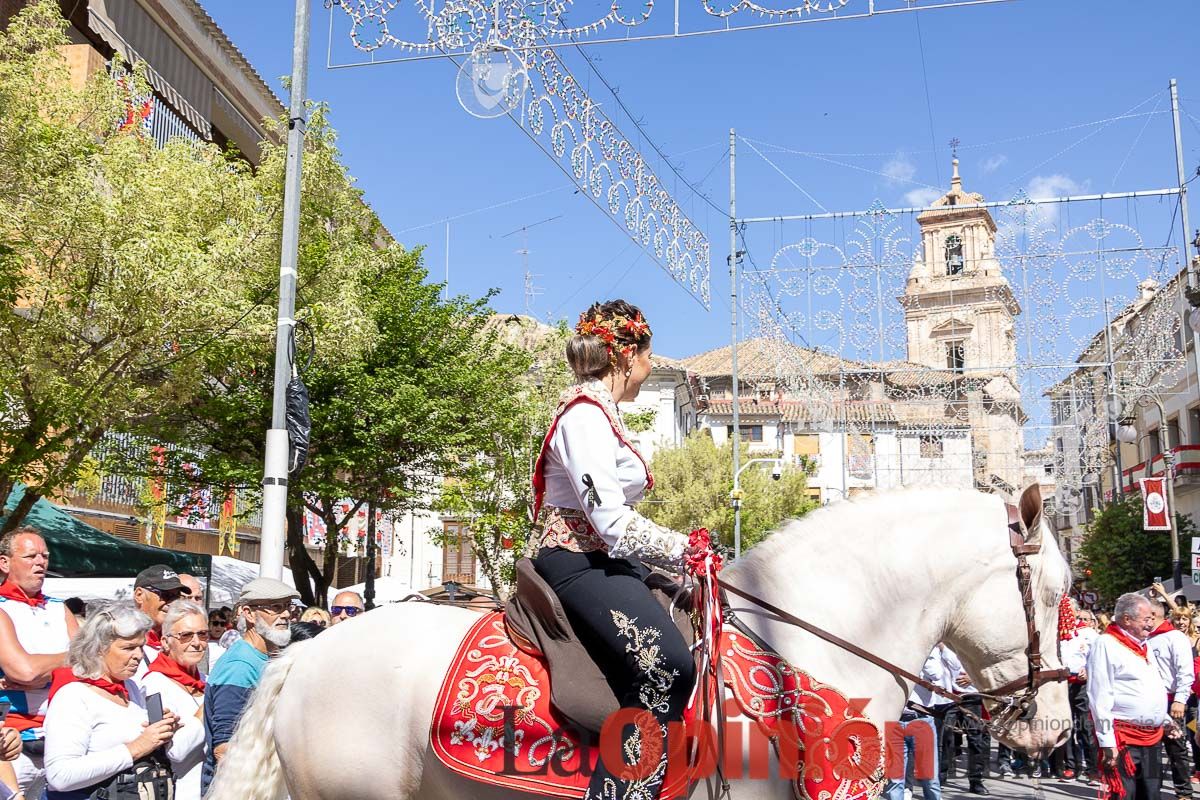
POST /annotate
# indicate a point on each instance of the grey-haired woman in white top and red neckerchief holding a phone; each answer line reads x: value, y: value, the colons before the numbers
x: 98, y: 733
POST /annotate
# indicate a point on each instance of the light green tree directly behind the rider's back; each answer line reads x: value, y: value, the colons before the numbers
x: 494, y: 494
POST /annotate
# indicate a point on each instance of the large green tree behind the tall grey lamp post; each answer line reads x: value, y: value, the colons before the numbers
x: 404, y: 387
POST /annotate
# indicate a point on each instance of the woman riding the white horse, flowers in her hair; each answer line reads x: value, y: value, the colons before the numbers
x: 592, y: 544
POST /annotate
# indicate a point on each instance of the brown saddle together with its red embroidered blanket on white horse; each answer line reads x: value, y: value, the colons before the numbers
x: 501, y: 720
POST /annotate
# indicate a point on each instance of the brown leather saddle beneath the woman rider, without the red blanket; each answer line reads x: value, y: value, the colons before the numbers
x: 537, y: 623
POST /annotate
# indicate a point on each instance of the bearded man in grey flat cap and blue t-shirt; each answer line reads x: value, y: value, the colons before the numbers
x: 263, y: 622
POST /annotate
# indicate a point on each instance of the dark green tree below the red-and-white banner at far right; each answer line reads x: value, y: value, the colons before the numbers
x: 1121, y: 556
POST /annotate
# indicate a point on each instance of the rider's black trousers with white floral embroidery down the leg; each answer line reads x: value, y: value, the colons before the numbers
x: 638, y: 647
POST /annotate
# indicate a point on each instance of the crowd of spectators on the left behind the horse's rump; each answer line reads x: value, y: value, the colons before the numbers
x: 135, y: 700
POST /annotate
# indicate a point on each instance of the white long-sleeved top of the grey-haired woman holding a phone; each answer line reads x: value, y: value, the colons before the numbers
x: 87, y: 733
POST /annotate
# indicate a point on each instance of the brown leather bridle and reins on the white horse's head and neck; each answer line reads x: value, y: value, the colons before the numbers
x: 1017, y: 695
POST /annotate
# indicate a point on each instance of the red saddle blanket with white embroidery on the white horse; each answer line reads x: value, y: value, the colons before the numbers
x: 494, y: 723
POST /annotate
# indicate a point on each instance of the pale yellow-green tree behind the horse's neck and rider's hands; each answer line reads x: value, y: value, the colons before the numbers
x: 693, y: 485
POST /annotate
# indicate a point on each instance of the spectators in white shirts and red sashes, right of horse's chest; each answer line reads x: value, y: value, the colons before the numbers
x: 1133, y: 695
